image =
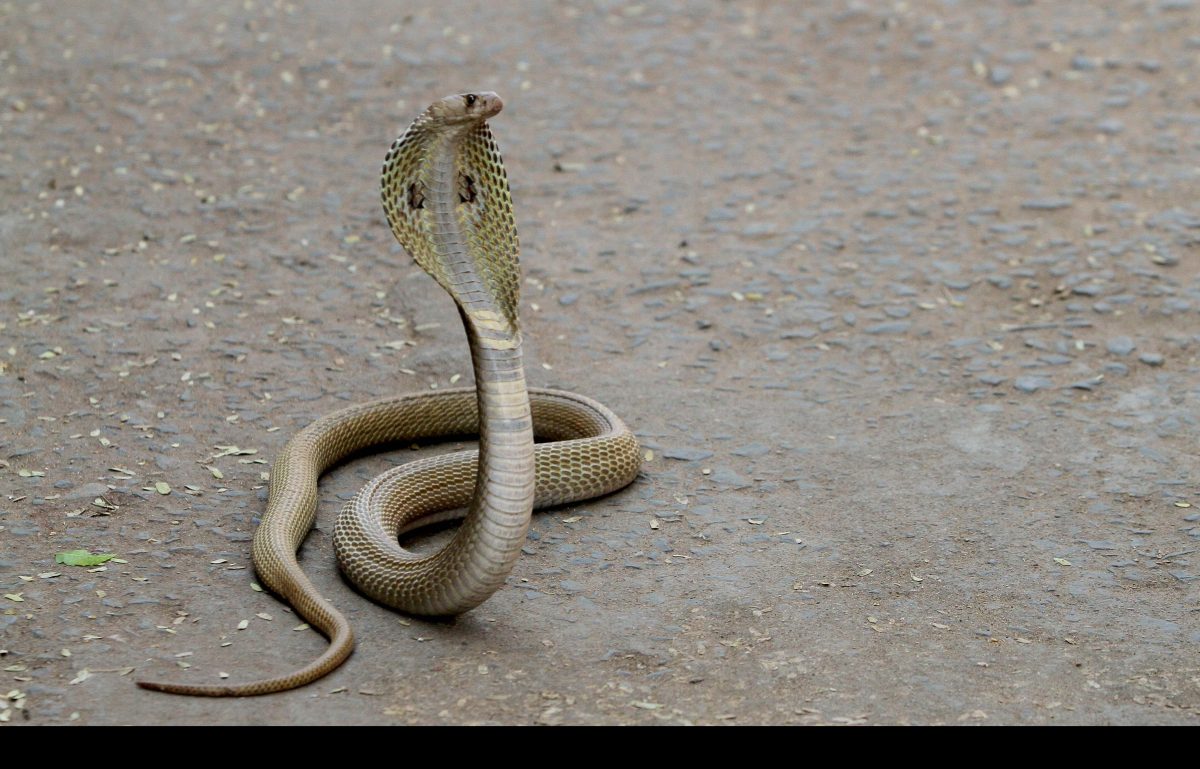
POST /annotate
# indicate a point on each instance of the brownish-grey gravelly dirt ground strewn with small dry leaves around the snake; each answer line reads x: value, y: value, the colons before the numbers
x: 901, y: 298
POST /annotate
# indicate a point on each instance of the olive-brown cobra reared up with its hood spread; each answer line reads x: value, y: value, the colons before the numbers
x: 447, y: 200
